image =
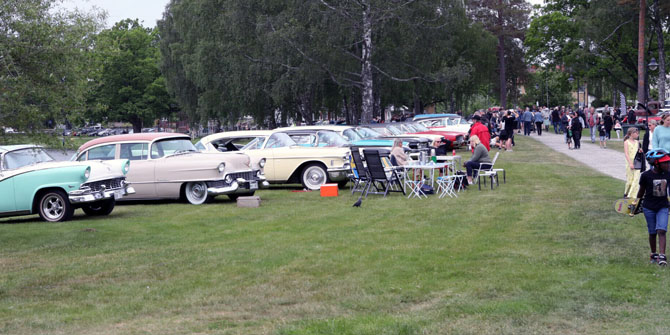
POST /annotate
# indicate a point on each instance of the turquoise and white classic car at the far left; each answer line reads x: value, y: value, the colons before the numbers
x: 32, y: 182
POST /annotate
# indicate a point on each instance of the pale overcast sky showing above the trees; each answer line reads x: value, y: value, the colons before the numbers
x: 148, y: 11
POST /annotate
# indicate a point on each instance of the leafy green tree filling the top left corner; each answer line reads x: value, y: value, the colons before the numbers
x: 43, y: 62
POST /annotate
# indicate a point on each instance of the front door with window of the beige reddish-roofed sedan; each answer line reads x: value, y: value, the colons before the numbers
x: 142, y: 169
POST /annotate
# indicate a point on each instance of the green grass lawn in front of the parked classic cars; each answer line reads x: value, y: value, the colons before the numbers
x: 543, y: 254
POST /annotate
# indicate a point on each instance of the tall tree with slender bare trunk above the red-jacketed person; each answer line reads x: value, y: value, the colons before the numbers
x: 507, y: 20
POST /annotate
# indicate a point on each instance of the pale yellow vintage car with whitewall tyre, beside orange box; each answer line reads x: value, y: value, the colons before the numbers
x: 287, y: 162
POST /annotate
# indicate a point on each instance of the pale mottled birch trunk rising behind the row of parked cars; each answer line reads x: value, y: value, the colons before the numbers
x: 367, y: 103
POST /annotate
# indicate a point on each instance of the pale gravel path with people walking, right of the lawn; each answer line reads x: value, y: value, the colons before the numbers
x: 607, y: 161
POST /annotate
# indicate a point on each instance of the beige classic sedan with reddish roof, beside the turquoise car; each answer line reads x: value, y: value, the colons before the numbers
x: 168, y: 166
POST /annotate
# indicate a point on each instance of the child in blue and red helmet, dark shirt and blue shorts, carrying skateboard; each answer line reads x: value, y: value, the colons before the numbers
x: 654, y: 187
